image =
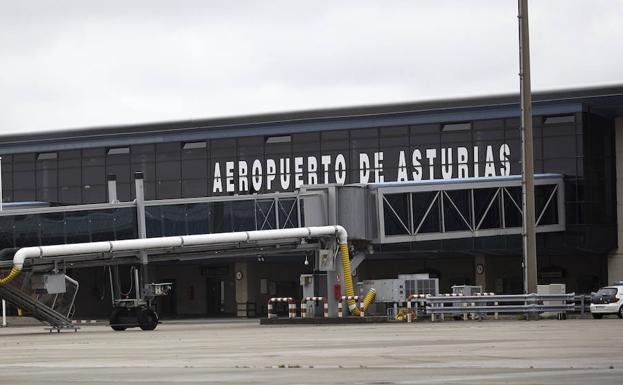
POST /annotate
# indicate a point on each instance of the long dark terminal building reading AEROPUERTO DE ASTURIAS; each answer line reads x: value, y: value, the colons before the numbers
x: 426, y: 187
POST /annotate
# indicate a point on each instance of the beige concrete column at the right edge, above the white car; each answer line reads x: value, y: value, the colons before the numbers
x: 615, y: 260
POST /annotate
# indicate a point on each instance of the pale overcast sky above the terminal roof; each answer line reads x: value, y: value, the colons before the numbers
x: 71, y: 64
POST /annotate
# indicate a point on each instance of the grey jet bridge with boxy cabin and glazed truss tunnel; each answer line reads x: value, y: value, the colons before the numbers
x: 396, y: 212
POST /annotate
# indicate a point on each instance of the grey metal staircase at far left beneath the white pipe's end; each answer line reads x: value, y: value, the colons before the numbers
x: 53, y: 310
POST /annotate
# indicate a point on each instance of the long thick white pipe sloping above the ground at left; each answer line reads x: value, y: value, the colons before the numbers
x: 175, y: 242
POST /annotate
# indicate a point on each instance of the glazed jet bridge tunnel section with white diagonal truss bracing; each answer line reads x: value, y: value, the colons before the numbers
x: 447, y: 211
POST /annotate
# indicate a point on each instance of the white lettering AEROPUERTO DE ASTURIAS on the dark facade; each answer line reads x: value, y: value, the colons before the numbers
x: 418, y: 164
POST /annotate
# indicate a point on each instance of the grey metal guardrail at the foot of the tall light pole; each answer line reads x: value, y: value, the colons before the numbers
x: 518, y: 304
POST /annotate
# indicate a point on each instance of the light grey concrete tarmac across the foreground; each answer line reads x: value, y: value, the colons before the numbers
x: 222, y: 352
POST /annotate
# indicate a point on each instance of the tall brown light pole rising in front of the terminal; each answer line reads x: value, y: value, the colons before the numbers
x: 527, y: 166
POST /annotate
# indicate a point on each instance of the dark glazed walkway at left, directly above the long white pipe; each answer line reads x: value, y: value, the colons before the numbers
x: 93, y: 225
